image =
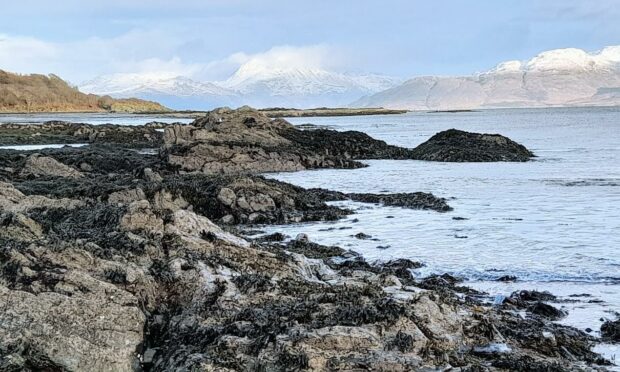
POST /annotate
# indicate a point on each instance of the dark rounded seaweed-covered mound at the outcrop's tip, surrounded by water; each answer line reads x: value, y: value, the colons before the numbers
x: 459, y: 146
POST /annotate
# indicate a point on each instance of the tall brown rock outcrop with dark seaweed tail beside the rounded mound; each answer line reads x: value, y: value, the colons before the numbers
x: 248, y: 141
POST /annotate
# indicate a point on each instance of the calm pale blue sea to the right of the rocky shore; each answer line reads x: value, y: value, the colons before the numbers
x: 554, y: 222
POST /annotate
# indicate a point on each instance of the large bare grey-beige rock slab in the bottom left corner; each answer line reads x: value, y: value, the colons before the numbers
x: 84, y: 331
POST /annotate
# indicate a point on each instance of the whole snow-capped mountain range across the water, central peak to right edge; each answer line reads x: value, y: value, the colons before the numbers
x: 561, y: 77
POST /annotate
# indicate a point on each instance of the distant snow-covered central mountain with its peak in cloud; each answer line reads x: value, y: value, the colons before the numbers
x: 252, y: 84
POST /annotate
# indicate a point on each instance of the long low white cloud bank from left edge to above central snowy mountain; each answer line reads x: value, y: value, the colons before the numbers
x: 151, y: 54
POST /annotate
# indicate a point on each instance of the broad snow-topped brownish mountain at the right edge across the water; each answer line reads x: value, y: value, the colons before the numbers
x: 562, y: 77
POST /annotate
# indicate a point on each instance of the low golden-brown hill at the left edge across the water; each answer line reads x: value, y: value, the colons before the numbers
x: 40, y: 93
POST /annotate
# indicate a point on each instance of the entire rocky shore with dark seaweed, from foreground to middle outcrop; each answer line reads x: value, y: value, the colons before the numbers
x: 112, y: 258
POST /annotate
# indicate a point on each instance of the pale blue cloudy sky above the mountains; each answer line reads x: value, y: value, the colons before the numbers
x: 208, y: 40
